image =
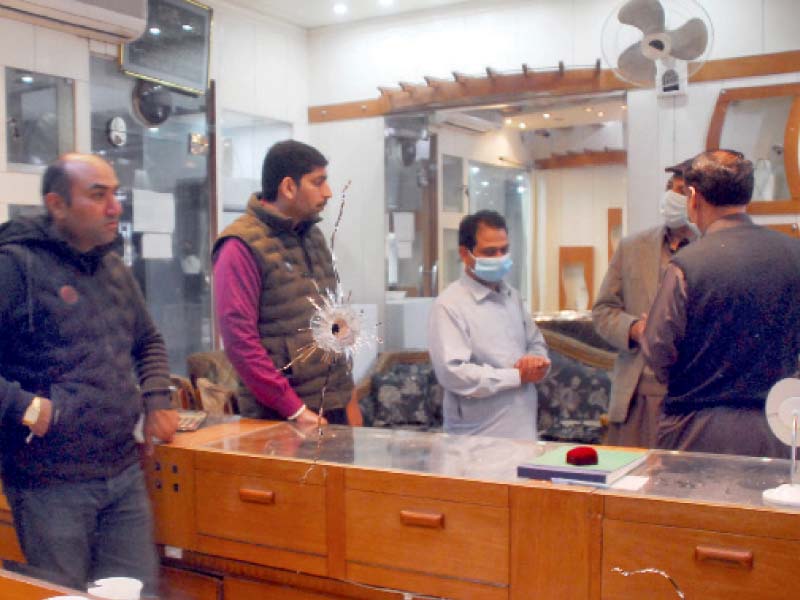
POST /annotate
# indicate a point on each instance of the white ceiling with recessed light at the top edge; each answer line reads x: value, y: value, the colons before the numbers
x: 319, y: 13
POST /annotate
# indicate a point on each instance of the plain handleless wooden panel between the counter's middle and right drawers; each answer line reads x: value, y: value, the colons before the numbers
x: 553, y: 535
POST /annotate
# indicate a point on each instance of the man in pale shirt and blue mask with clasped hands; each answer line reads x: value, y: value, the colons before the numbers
x: 484, y: 346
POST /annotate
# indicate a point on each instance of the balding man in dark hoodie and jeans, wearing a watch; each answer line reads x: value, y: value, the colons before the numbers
x: 80, y: 361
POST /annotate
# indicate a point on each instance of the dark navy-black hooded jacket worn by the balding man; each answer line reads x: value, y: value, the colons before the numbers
x: 74, y: 328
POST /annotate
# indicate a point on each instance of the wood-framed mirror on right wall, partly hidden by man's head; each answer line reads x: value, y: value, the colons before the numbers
x: 762, y: 122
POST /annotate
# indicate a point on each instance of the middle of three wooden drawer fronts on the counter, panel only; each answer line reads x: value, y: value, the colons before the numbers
x: 464, y: 541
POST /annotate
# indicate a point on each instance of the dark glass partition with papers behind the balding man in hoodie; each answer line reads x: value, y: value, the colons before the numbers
x: 164, y: 190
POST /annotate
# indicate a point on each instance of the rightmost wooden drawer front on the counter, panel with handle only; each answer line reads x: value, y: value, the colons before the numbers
x: 705, y: 564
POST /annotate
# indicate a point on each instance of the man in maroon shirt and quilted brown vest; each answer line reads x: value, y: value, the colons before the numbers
x: 266, y: 266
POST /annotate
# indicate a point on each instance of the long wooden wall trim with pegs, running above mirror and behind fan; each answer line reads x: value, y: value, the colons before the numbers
x: 465, y: 90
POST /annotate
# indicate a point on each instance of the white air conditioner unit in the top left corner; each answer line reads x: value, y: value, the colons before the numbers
x: 113, y: 21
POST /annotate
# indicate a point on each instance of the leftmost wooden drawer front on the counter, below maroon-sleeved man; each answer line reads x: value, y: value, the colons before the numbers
x: 262, y: 511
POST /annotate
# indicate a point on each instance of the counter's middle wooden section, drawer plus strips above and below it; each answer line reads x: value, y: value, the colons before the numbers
x: 449, y: 541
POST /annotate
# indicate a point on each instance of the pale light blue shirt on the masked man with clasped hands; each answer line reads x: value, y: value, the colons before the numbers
x: 475, y: 337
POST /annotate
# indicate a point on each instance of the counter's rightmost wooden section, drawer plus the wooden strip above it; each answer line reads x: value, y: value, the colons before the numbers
x: 713, y: 552
